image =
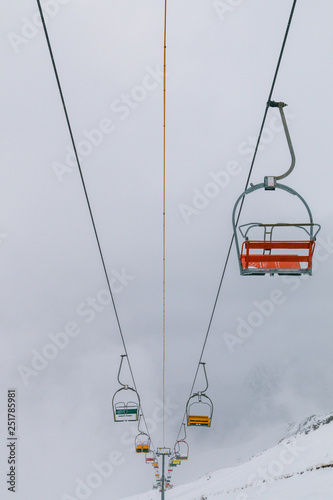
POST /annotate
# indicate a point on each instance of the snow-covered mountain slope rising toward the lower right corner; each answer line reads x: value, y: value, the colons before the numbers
x: 300, y: 467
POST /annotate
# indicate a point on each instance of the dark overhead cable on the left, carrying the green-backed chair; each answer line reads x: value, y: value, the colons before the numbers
x: 85, y: 191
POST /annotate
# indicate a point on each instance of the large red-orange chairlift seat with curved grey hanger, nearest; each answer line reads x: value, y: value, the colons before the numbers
x: 270, y: 255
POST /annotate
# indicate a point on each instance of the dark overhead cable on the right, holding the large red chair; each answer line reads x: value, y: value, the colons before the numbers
x: 242, y: 202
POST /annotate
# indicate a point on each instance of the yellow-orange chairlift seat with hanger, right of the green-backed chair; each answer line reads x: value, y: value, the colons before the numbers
x: 200, y: 401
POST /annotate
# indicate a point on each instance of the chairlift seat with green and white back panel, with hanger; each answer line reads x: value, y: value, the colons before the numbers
x: 125, y: 410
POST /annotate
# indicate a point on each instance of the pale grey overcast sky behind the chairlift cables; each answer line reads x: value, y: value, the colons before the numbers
x: 221, y: 58
